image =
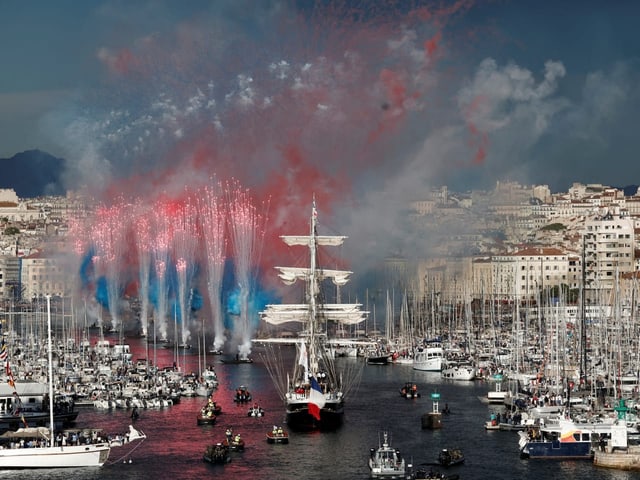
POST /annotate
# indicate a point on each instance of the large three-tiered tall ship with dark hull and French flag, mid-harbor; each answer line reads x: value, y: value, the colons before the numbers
x: 314, y: 391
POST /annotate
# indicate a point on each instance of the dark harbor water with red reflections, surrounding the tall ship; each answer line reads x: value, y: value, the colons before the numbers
x: 175, y: 443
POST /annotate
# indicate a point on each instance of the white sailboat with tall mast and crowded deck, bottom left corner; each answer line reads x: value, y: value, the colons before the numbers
x: 37, y: 447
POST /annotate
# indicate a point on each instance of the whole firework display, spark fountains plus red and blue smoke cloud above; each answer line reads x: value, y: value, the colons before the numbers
x: 308, y: 100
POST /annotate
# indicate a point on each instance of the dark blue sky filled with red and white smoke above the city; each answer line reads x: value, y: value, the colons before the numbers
x: 366, y: 104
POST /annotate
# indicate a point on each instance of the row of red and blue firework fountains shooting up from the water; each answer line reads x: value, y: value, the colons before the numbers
x: 175, y: 240
